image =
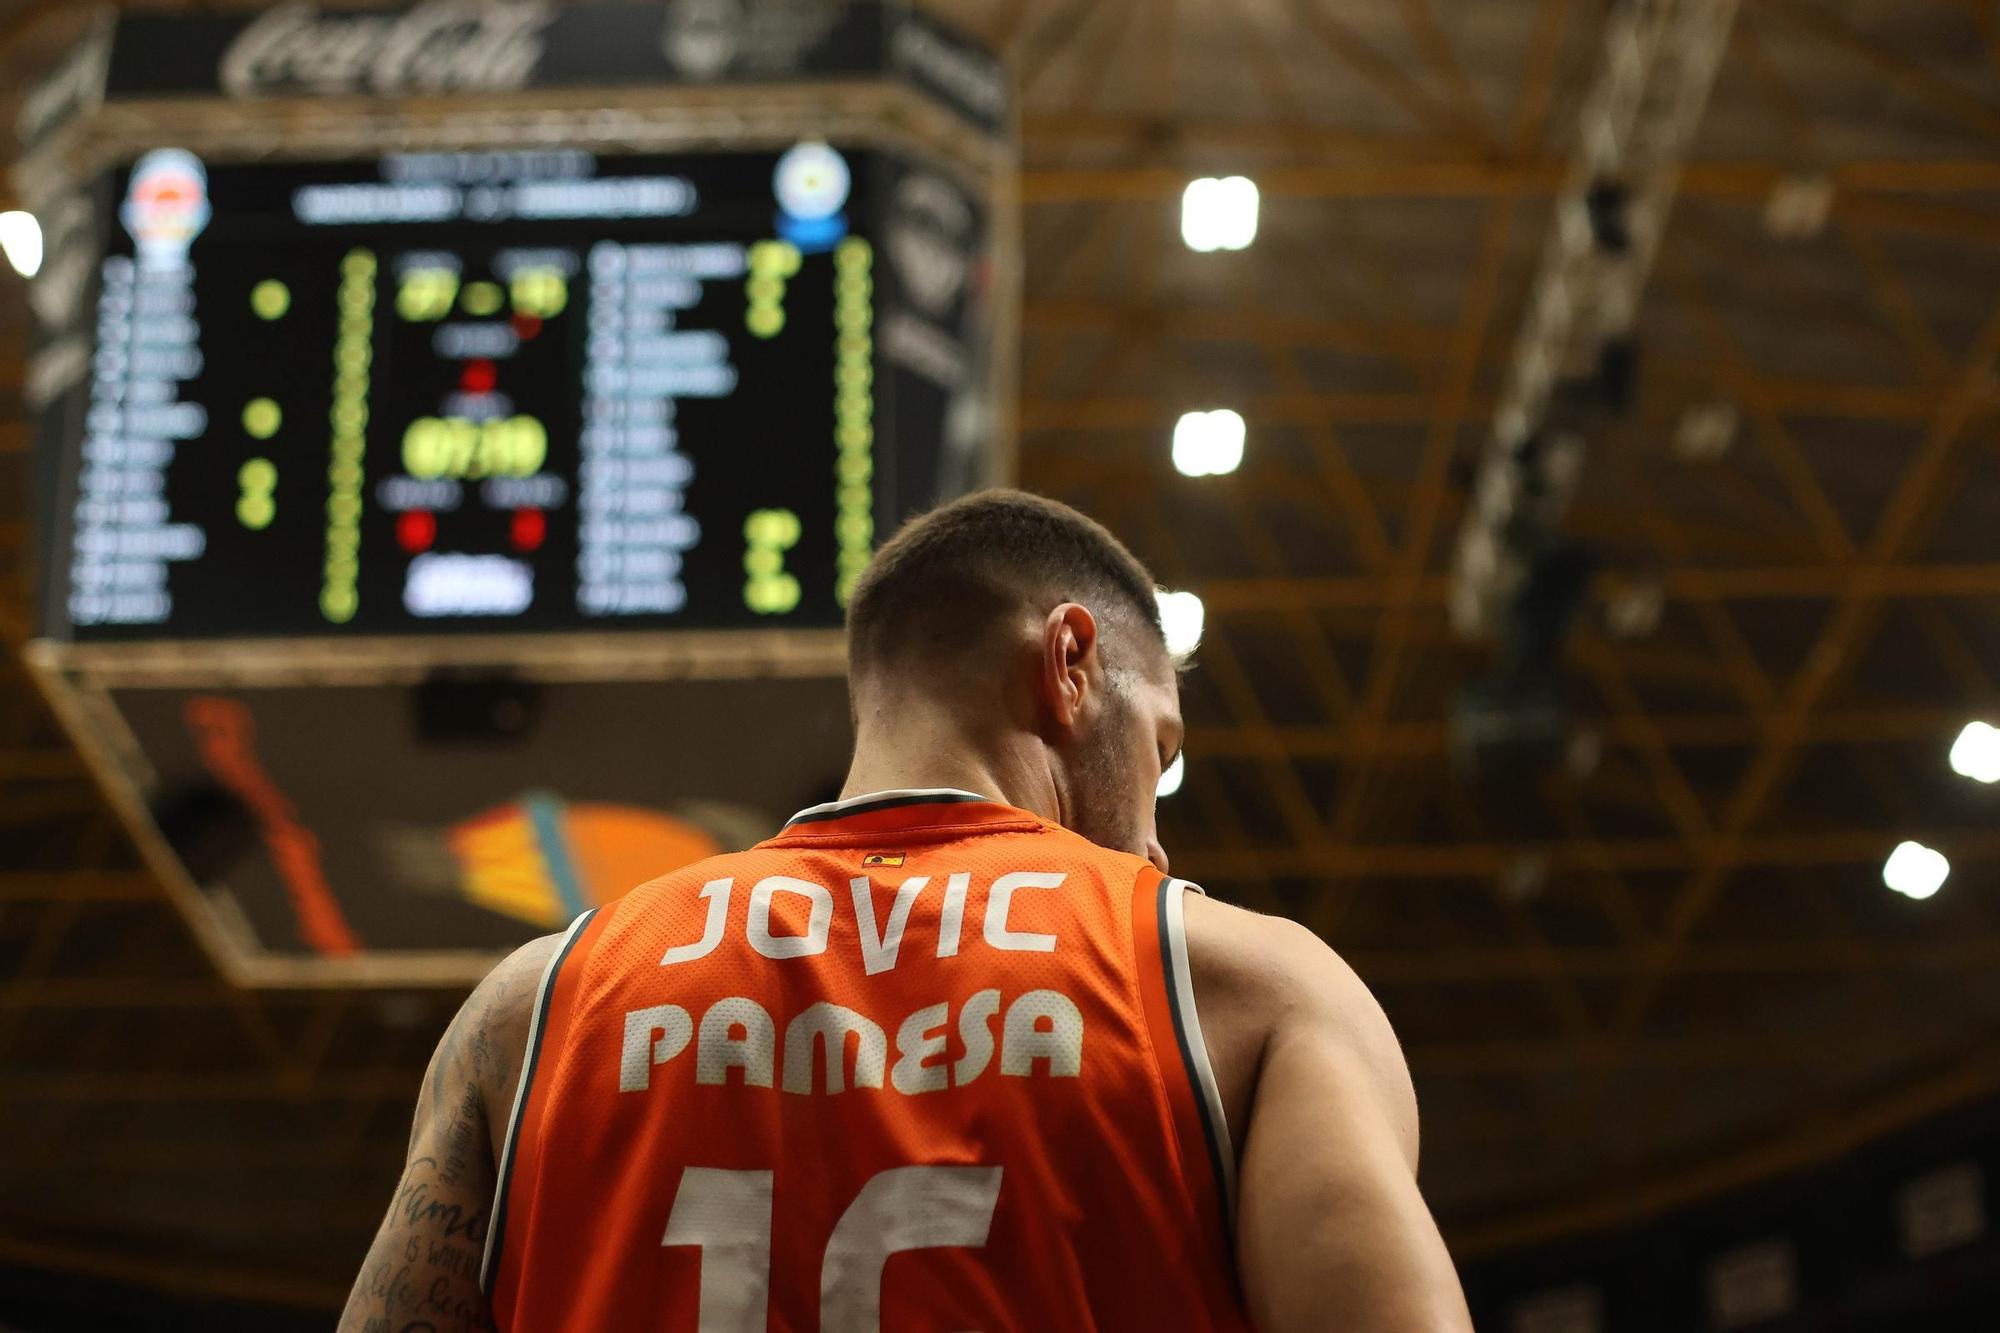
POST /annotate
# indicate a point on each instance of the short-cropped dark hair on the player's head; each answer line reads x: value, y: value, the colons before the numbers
x: 949, y: 575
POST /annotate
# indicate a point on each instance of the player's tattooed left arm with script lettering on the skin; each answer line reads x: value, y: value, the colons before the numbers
x: 423, y: 1272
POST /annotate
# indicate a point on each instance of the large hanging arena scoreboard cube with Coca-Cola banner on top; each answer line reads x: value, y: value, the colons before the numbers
x: 461, y: 431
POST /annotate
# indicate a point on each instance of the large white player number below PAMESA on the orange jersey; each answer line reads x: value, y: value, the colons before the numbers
x: 727, y: 1214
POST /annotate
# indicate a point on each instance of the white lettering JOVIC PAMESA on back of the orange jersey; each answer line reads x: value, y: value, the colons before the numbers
x: 1039, y: 1028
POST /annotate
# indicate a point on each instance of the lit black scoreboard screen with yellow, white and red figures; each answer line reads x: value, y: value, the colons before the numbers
x: 487, y: 391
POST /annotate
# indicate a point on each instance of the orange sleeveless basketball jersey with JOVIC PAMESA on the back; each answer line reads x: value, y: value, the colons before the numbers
x: 921, y: 1062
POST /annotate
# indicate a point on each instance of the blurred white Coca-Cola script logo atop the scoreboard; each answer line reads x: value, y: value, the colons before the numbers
x: 439, y: 47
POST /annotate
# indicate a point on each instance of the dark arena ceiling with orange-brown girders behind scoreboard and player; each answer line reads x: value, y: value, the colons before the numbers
x: 1661, y: 966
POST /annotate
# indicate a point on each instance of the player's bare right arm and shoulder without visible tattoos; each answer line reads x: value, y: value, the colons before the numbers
x: 1331, y: 1230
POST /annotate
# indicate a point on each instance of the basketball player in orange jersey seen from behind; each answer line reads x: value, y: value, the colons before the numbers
x: 949, y: 1054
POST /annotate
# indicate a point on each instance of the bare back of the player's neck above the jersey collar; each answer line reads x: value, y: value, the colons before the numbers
x: 917, y: 748
